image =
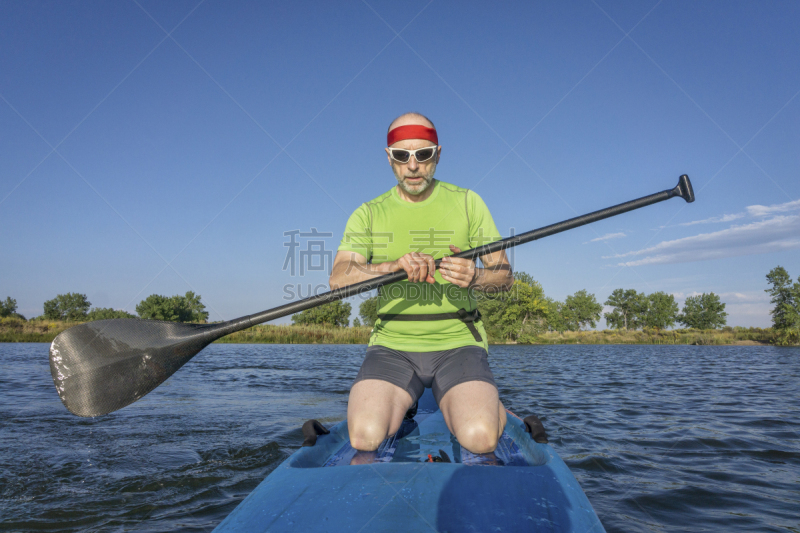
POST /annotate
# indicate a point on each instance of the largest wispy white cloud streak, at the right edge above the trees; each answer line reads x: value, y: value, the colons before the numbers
x: 772, y: 235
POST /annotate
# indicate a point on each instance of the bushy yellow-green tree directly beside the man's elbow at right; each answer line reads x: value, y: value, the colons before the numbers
x: 521, y: 311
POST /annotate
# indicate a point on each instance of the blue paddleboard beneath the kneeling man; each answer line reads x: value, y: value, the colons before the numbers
x: 522, y: 486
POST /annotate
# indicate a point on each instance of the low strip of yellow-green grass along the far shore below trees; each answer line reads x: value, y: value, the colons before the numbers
x: 17, y: 330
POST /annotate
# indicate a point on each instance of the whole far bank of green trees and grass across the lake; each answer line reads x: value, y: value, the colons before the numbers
x: 523, y: 315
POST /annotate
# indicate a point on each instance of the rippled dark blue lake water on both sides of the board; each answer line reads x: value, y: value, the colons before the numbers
x: 661, y: 438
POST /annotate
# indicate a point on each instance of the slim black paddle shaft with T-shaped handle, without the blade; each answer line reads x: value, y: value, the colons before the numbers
x: 682, y: 190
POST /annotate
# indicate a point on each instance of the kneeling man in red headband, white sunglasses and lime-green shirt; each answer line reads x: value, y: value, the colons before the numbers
x: 428, y: 333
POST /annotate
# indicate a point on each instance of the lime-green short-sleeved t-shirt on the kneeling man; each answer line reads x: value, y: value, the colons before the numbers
x: 389, y: 227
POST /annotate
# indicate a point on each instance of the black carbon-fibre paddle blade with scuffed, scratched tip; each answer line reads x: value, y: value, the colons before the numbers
x: 102, y: 366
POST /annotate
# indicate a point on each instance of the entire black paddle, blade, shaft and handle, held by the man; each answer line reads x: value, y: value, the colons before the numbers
x: 102, y: 366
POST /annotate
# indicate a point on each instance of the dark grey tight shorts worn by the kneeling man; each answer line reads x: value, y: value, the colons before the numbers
x: 413, y: 371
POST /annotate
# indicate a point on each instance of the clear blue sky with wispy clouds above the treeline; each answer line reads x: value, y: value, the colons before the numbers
x: 158, y: 147
